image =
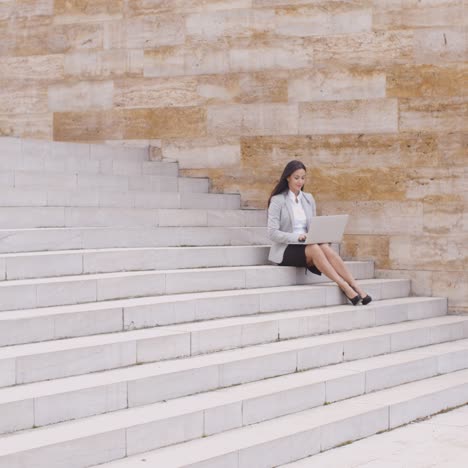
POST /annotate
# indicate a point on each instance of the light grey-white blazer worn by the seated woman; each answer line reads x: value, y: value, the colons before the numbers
x: 281, y: 222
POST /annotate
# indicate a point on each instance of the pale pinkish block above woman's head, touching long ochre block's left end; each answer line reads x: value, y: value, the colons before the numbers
x: 252, y: 119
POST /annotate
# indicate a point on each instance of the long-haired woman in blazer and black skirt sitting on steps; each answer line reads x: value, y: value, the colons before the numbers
x: 289, y: 213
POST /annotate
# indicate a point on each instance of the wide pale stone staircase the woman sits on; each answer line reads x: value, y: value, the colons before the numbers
x: 141, y: 325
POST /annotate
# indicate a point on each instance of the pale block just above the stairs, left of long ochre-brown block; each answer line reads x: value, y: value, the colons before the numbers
x: 204, y: 153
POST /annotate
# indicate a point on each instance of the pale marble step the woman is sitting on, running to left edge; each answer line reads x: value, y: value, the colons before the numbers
x: 79, y: 289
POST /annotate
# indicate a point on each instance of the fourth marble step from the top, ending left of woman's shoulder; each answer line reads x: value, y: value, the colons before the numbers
x: 19, y: 200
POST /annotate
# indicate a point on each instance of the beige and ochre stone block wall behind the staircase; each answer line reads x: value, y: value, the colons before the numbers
x: 371, y: 95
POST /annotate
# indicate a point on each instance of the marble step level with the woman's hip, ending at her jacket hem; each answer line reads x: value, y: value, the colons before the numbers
x: 89, y: 261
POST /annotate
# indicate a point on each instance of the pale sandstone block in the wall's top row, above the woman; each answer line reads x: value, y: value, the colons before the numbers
x: 322, y: 19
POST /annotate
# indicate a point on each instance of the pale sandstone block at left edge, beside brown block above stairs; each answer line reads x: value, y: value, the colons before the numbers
x: 26, y: 125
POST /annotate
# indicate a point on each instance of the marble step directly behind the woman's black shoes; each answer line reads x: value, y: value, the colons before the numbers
x: 58, y: 322
